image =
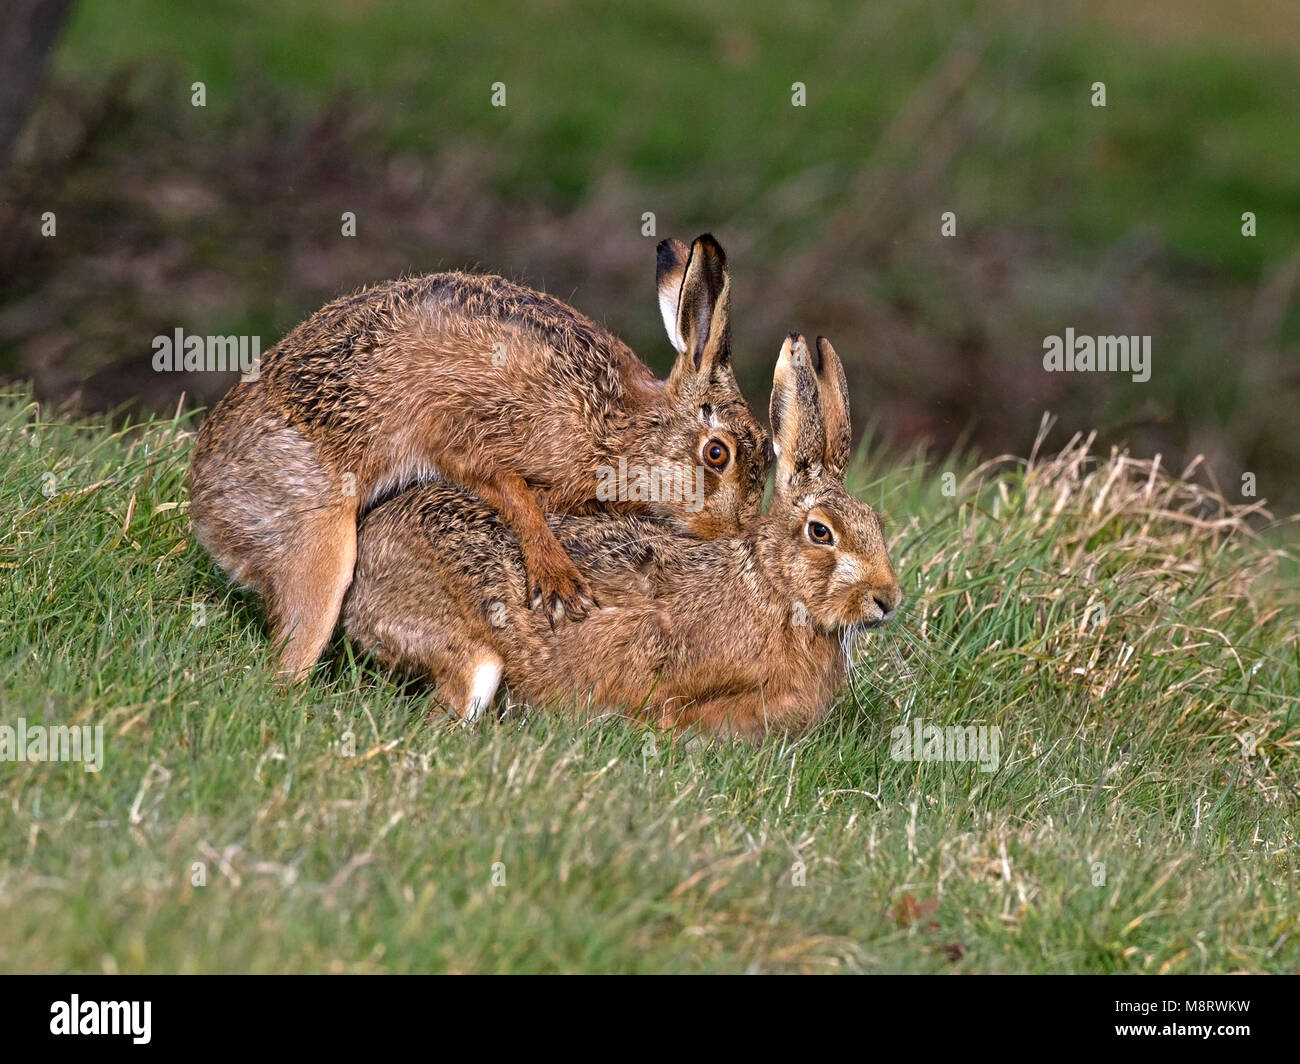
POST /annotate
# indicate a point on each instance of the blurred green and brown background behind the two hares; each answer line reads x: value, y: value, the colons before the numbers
x: 1116, y: 220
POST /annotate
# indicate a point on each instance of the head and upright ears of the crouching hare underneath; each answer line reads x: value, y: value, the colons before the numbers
x: 826, y: 546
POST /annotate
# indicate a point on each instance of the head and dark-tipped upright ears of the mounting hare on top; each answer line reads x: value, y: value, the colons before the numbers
x: 705, y: 417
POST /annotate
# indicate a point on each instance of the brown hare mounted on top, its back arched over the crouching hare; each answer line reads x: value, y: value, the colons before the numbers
x: 479, y: 383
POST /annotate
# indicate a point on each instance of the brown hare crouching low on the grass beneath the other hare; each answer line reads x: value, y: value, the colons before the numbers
x: 734, y: 635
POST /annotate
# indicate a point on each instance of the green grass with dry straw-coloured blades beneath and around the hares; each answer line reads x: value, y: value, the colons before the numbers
x: 623, y: 851
